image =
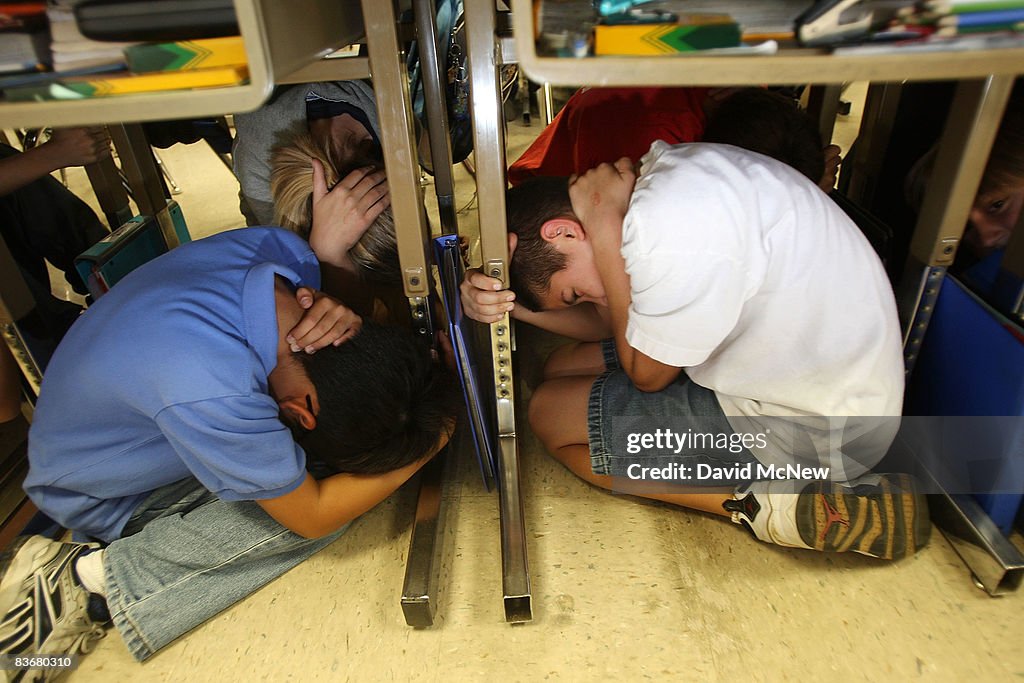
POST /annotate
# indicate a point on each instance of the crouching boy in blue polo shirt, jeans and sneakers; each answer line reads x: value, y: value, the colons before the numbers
x: 178, y: 424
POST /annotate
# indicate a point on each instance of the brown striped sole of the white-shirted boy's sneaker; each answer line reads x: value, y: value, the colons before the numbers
x: 890, y: 523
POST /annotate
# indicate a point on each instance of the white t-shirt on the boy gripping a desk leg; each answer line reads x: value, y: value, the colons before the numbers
x: 747, y: 275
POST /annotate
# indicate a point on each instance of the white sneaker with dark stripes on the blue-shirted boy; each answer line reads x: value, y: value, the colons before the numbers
x: 44, y: 605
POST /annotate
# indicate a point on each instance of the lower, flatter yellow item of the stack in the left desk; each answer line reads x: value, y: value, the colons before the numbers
x: 130, y: 84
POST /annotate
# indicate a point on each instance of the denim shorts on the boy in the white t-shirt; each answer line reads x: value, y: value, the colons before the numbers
x: 682, y: 405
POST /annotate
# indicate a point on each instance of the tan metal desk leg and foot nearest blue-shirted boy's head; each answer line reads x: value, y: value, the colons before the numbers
x: 396, y: 115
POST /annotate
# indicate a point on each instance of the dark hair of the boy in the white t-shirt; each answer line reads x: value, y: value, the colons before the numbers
x: 528, y: 207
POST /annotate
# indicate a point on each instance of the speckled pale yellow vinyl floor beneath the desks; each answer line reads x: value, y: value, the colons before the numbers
x: 623, y: 590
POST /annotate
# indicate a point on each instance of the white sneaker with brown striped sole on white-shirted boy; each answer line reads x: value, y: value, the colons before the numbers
x: 879, y: 516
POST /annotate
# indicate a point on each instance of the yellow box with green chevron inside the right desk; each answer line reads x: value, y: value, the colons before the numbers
x: 691, y: 33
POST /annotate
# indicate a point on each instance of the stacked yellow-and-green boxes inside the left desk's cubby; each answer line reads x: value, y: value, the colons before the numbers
x: 151, y: 68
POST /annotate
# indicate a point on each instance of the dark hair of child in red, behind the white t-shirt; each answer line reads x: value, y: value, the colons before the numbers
x: 771, y: 124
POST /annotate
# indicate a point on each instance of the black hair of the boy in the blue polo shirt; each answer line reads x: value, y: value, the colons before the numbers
x: 385, y: 402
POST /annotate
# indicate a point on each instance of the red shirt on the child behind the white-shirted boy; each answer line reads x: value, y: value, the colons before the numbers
x: 606, y: 124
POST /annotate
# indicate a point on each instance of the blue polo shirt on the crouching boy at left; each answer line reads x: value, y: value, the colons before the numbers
x: 165, y: 378
